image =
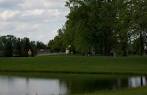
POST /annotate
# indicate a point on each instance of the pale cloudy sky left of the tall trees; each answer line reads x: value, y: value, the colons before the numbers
x: 38, y: 20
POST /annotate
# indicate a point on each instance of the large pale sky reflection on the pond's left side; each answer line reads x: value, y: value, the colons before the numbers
x: 26, y: 86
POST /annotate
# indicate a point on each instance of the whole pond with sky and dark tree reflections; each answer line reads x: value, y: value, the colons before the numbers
x: 10, y: 85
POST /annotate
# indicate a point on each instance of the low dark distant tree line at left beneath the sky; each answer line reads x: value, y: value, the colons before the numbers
x: 13, y: 46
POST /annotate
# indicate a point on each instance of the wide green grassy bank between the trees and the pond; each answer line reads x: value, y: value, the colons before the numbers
x: 76, y: 64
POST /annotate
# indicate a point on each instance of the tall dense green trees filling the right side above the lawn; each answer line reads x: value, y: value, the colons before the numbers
x: 104, y: 27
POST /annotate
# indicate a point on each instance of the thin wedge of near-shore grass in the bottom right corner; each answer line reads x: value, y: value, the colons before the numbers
x: 136, y: 91
